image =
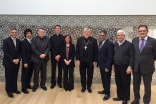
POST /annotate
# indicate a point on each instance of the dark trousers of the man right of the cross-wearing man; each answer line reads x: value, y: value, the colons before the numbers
x: 106, y: 77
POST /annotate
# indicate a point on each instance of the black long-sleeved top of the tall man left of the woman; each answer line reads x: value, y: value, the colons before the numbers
x: 56, y: 44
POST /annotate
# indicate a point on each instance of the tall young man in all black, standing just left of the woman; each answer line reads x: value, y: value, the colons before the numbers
x: 56, y: 42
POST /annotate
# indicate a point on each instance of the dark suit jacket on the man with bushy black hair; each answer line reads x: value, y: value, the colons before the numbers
x: 26, y: 51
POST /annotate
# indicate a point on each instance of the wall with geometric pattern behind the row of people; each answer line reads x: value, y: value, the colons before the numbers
x: 73, y: 25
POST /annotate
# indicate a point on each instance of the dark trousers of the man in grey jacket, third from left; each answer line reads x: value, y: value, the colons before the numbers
x: 42, y: 65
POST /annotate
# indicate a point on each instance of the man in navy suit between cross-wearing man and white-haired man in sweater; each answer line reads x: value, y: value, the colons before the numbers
x: 105, y: 60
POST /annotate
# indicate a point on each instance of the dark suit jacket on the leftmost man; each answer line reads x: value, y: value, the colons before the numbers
x: 10, y: 52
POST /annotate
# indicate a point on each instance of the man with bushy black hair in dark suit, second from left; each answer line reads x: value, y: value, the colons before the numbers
x: 27, y: 65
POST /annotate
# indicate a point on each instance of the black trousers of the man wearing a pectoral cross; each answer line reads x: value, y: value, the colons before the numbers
x: 84, y: 66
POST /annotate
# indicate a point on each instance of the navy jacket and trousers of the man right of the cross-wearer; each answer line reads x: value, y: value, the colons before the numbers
x: 105, y: 60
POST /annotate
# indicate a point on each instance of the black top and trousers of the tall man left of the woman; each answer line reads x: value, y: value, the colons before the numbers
x: 56, y: 44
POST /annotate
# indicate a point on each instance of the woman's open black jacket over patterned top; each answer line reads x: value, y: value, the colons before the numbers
x: 71, y: 54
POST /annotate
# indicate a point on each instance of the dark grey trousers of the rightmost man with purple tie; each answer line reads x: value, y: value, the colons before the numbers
x: 147, y: 79
